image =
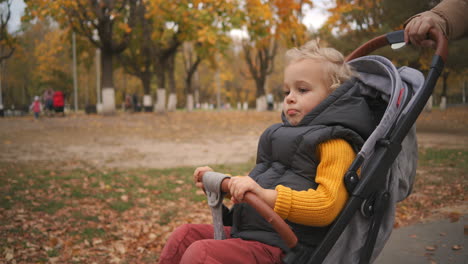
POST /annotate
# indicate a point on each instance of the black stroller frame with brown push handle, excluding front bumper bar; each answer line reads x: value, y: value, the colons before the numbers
x: 370, y: 192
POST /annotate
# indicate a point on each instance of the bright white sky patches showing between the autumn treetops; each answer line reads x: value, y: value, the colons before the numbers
x: 313, y: 18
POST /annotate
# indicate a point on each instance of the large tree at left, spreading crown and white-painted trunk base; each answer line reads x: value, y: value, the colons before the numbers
x: 112, y: 20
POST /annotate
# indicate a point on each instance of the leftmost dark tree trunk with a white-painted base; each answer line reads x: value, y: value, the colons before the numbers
x: 107, y: 83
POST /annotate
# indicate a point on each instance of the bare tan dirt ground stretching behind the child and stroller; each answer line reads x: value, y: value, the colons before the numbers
x: 174, y: 139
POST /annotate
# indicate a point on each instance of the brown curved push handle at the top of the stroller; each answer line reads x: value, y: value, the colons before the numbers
x: 396, y: 37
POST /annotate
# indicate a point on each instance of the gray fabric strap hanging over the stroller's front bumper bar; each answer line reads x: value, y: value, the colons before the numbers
x: 212, y: 183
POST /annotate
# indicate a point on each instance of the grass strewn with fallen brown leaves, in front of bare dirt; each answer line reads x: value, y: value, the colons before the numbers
x: 87, y: 204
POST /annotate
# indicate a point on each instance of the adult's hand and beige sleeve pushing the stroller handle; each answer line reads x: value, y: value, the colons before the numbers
x: 449, y: 16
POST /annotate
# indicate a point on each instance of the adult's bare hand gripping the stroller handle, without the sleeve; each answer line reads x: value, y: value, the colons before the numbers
x: 416, y: 31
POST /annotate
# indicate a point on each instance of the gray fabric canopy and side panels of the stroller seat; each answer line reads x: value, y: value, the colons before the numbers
x: 393, y: 86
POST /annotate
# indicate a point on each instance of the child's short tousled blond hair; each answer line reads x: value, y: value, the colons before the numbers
x: 338, y: 71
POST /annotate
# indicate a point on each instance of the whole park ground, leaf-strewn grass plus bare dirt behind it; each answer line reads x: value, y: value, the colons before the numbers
x: 61, y: 204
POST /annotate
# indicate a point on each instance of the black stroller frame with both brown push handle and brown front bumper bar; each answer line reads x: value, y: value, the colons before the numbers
x: 368, y: 192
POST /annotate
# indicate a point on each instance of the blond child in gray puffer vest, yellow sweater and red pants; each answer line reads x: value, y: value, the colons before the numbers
x: 300, y: 166
